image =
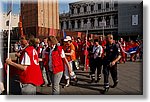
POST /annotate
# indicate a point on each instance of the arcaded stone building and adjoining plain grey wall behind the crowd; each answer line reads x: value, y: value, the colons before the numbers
x: 116, y: 14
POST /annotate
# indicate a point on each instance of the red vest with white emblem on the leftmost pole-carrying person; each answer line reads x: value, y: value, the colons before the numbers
x: 33, y: 74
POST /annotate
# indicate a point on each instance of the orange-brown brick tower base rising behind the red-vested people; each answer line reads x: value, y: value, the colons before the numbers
x: 39, y: 17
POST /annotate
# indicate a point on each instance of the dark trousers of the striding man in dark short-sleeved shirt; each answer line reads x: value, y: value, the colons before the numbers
x: 113, y: 71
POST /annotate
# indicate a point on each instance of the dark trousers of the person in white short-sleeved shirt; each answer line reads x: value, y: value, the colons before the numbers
x: 97, y: 64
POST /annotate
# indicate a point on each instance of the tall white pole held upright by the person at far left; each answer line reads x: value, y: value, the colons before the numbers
x: 9, y: 48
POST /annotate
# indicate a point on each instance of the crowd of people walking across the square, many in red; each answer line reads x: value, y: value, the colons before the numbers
x: 55, y: 59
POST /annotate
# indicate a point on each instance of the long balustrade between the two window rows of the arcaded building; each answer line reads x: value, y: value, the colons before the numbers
x: 94, y: 12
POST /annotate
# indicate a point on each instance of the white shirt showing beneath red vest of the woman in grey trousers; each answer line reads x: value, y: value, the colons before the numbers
x: 50, y: 57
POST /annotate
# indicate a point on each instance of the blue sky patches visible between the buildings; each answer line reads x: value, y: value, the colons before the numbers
x: 63, y: 5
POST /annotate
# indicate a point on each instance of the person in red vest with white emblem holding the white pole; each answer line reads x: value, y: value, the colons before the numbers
x: 29, y: 69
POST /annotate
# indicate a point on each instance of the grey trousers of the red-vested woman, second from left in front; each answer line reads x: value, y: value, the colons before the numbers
x: 55, y: 83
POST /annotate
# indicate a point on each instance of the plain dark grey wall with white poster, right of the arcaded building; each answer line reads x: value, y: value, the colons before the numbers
x: 125, y: 12
